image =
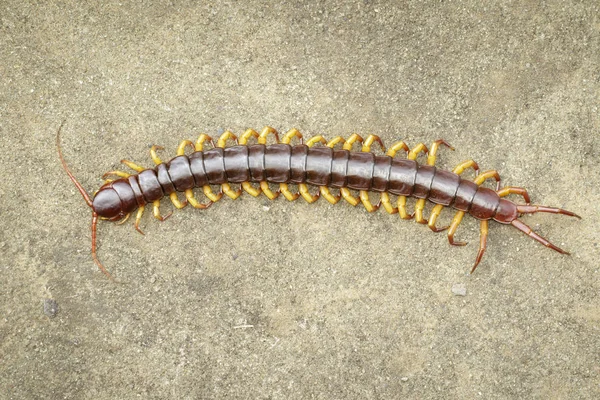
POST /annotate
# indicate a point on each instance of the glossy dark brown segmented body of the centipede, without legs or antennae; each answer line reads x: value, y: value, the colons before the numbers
x: 283, y: 163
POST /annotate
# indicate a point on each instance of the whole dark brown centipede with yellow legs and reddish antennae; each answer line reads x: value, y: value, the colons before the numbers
x: 319, y: 163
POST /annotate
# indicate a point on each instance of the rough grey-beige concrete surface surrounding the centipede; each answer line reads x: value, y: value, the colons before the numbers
x: 258, y: 299
